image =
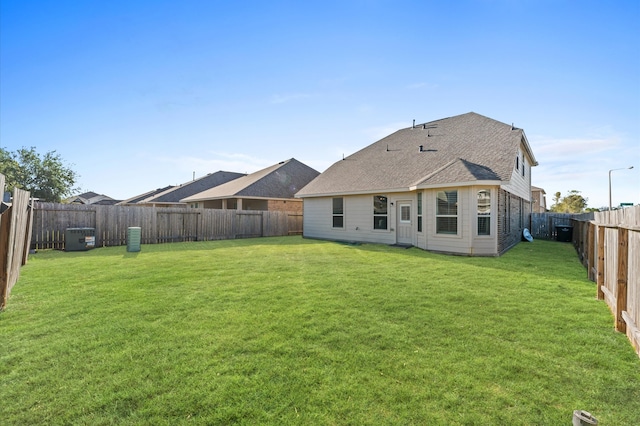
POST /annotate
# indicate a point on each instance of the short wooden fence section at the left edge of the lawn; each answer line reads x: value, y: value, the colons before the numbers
x: 15, y: 233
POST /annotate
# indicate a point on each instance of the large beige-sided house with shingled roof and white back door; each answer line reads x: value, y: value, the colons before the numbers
x: 456, y: 185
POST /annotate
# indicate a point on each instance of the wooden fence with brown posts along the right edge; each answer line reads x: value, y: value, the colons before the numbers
x: 609, y: 246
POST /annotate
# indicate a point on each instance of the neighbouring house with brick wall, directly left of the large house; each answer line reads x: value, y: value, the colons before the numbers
x: 270, y: 189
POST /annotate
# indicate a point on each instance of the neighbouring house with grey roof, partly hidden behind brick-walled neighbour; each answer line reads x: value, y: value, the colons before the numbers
x: 170, y: 196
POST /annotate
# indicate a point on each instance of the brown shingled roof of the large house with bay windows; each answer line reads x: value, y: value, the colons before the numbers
x: 463, y: 149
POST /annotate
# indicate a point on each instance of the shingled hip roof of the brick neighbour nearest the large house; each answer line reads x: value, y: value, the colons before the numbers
x: 281, y: 180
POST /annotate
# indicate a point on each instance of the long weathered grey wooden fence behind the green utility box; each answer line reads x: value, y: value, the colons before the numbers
x: 158, y: 224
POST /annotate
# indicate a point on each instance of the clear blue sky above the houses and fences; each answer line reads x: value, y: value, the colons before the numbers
x: 137, y: 95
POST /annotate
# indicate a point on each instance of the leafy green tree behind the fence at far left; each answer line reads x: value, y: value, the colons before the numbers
x: 46, y: 177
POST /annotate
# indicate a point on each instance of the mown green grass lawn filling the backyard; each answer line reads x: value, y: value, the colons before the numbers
x: 293, y: 331
